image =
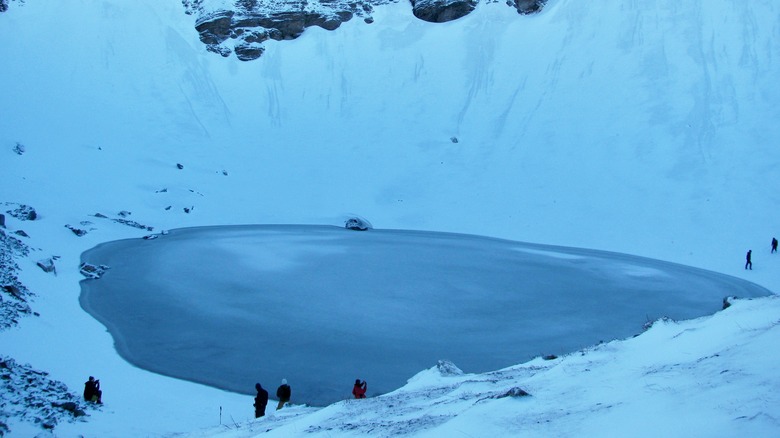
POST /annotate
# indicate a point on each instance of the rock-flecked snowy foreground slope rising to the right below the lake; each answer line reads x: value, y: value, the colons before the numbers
x: 707, y: 377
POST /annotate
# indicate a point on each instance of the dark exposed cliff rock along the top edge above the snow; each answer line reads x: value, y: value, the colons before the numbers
x: 242, y: 27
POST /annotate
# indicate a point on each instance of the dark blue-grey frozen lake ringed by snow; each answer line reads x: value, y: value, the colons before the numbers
x: 321, y: 306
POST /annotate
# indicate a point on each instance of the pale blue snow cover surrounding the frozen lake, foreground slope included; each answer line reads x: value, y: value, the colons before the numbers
x: 646, y: 128
